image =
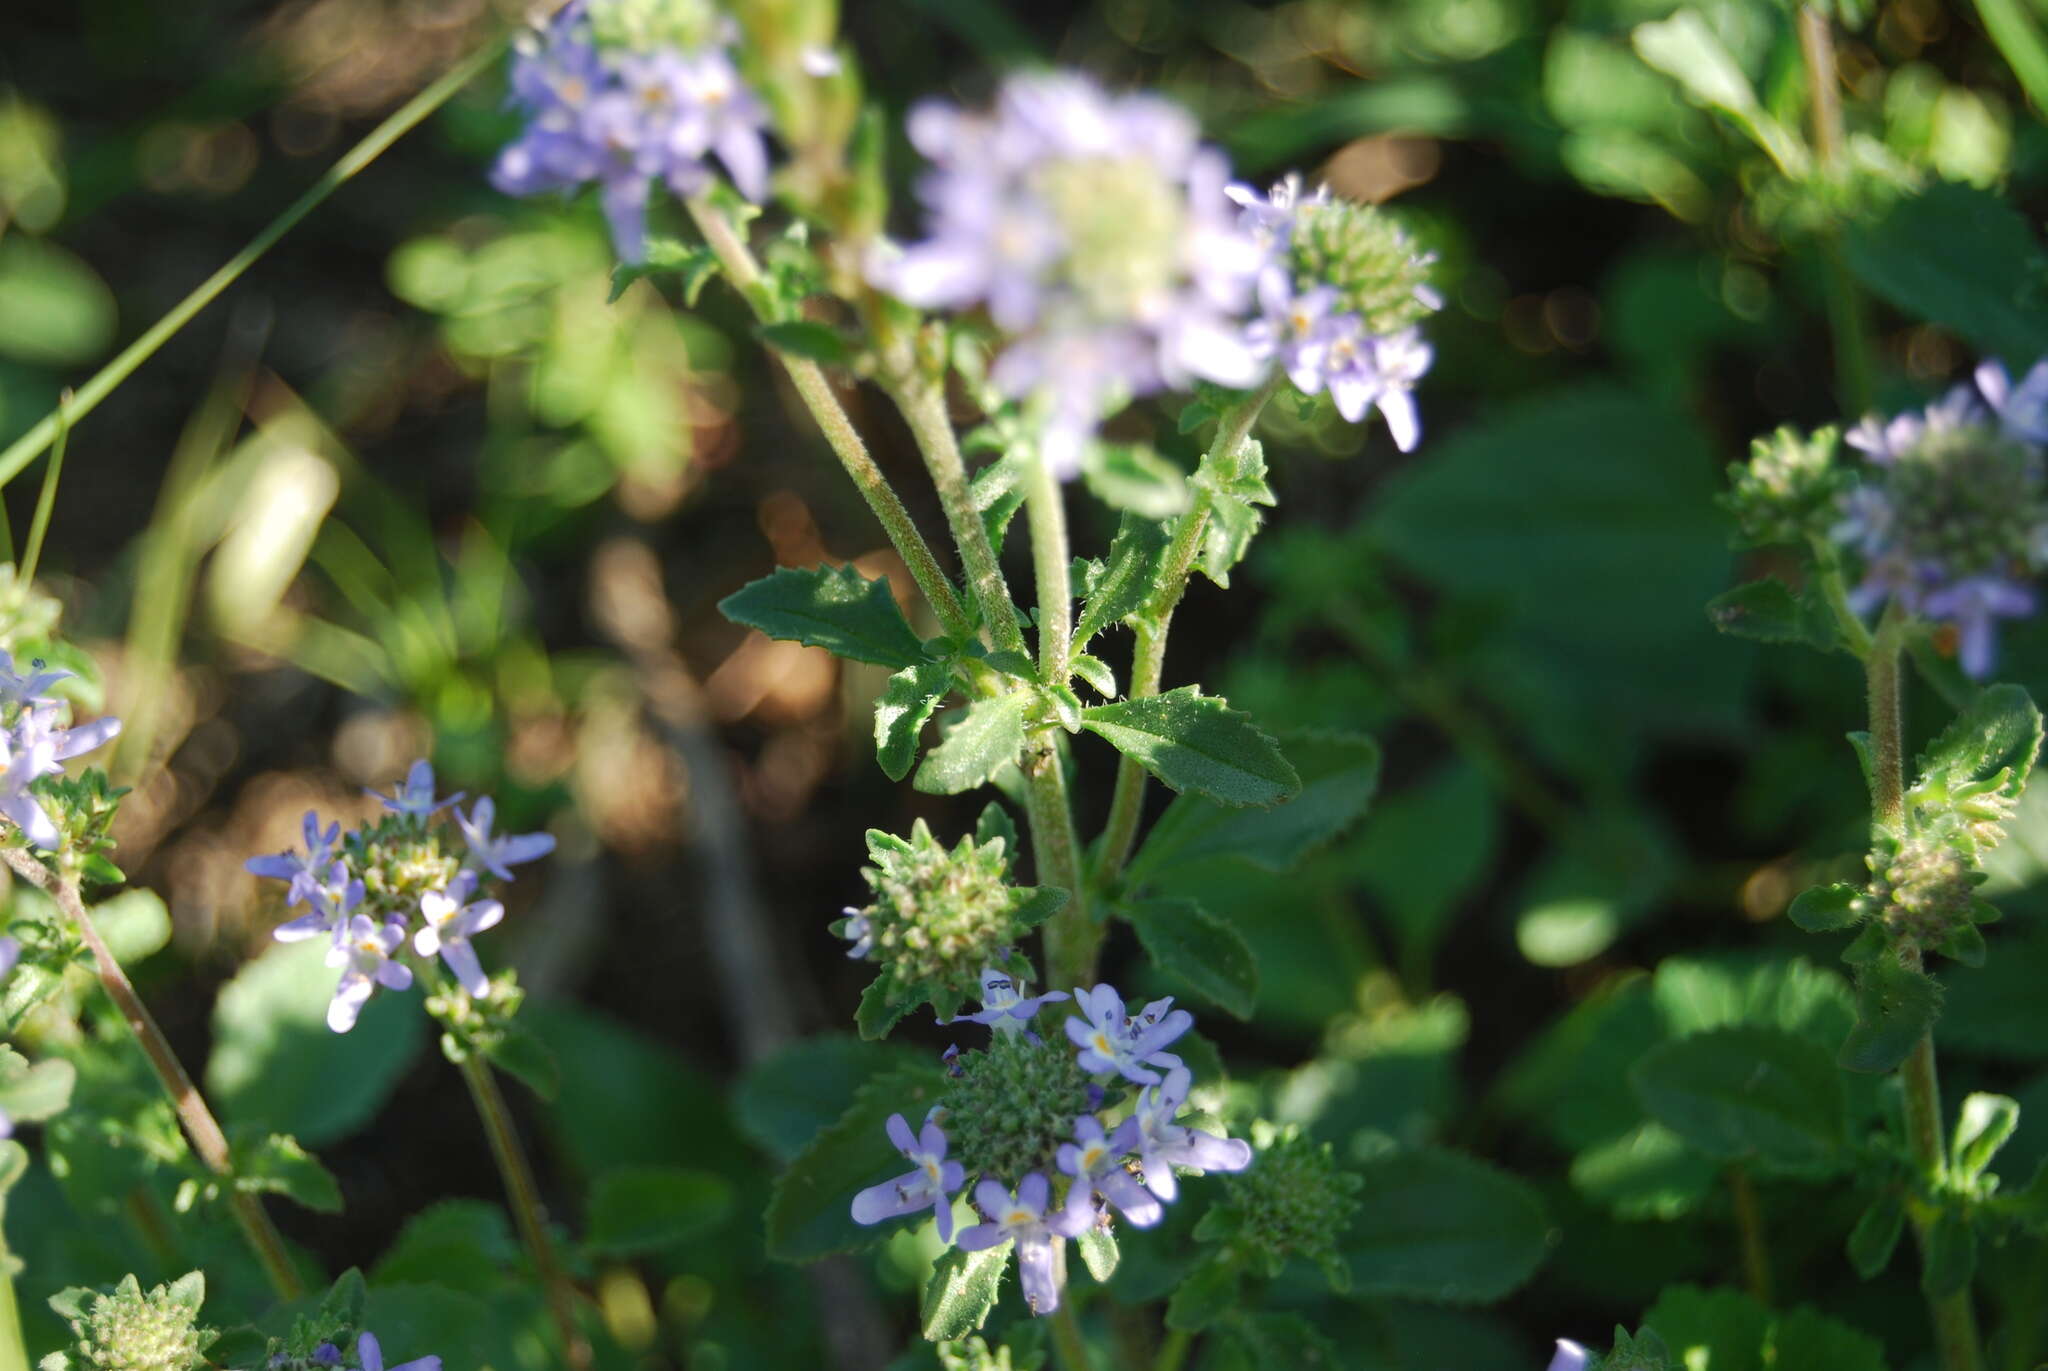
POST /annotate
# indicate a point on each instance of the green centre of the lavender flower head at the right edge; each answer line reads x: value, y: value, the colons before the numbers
x: 1967, y: 499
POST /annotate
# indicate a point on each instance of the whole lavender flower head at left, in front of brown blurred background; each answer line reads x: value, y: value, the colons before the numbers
x: 366, y: 892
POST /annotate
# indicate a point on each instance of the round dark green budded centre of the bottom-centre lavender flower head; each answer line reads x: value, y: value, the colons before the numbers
x: 1013, y: 1106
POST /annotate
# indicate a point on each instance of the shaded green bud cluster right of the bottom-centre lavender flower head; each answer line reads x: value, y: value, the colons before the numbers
x: 1297, y: 1202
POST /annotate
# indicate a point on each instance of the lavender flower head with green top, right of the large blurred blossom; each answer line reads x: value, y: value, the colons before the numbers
x: 1340, y: 298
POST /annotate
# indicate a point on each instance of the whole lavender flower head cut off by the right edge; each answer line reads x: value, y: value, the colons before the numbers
x: 1951, y: 520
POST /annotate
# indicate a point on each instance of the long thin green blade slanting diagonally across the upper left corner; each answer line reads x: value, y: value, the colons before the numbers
x: 134, y: 356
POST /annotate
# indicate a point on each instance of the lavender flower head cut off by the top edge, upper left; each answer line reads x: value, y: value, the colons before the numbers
x: 628, y: 93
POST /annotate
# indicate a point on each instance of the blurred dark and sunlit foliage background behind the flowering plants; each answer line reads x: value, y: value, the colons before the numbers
x: 423, y: 487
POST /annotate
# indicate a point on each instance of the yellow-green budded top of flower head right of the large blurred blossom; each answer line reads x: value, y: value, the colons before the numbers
x: 1367, y: 257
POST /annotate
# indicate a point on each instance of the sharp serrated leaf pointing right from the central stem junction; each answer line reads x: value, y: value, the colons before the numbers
x: 1197, y: 743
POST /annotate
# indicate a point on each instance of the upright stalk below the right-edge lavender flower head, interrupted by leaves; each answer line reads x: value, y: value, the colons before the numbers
x: 1955, y: 1317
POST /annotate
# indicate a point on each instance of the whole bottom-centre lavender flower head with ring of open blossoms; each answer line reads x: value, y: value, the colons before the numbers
x: 1052, y: 1138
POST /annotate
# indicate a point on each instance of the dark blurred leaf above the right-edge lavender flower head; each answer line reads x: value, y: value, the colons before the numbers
x: 1965, y: 259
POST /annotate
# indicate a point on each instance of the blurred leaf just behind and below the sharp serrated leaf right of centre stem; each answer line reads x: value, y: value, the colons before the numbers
x: 1338, y: 780
